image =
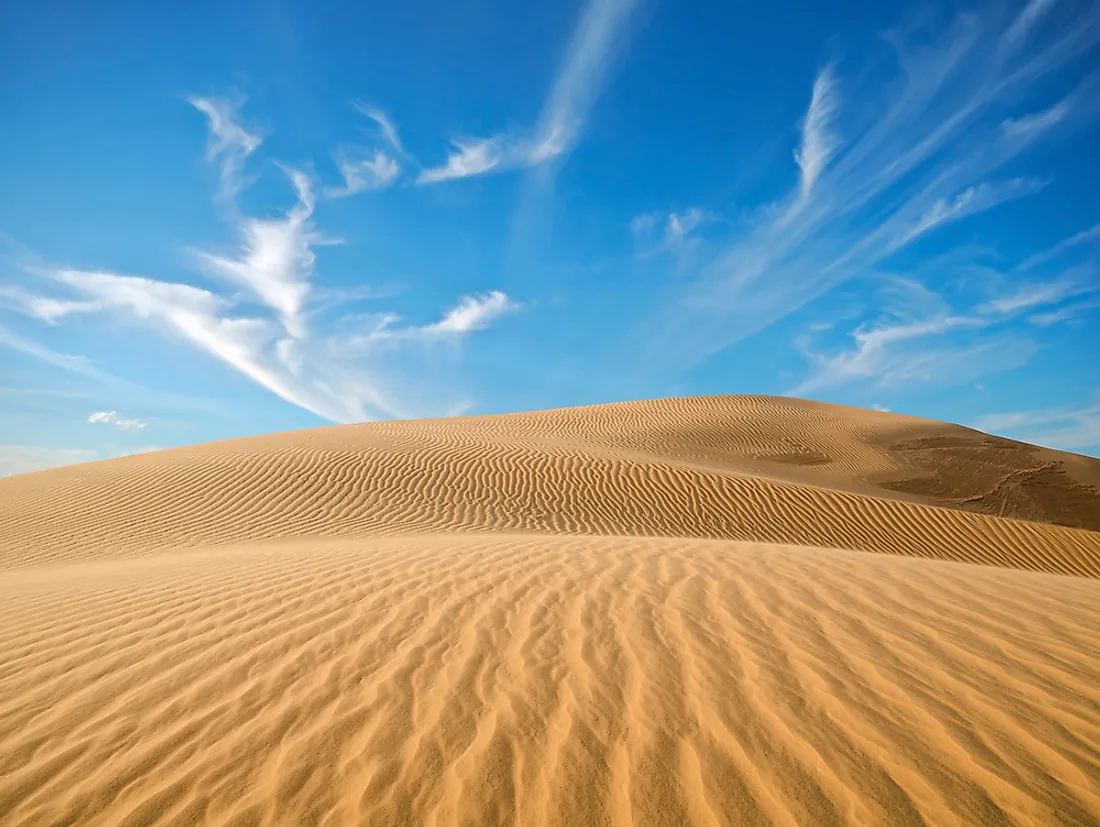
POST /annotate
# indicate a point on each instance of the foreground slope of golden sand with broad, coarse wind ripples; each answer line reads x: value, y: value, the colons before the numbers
x: 548, y: 681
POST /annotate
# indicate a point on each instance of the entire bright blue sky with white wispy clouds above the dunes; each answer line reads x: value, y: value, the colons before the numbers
x: 224, y: 219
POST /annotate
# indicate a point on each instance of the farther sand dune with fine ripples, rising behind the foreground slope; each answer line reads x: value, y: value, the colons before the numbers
x: 710, y: 468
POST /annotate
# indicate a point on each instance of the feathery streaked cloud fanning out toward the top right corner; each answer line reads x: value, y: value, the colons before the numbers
x: 921, y: 150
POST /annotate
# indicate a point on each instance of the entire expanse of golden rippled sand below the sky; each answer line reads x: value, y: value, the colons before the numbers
x: 712, y: 611
